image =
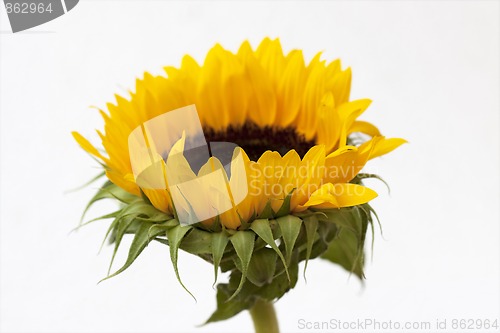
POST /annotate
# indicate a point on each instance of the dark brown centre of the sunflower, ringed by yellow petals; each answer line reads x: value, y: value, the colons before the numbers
x: 255, y: 140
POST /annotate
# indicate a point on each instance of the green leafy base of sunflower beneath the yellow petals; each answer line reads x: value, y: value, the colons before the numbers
x: 262, y: 257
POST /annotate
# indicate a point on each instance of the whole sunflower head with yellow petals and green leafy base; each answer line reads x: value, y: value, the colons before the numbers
x: 293, y: 123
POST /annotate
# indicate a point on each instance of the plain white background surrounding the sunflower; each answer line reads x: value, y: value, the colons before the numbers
x: 432, y: 70
